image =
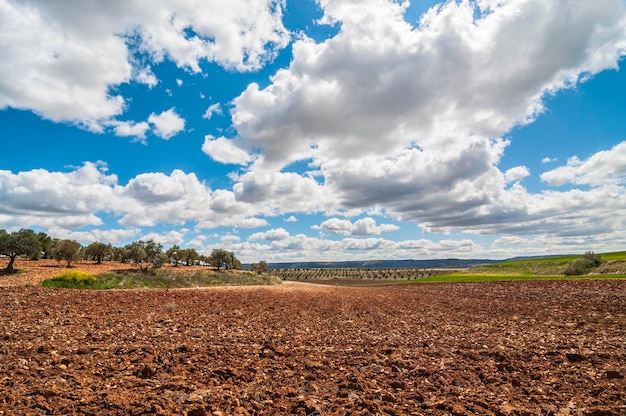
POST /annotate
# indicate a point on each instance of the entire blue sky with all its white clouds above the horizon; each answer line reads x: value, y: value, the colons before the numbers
x: 317, y: 129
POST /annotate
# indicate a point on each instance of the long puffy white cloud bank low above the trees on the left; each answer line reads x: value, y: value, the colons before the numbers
x: 79, y: 198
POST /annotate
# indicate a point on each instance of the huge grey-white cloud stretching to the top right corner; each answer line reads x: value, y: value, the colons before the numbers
x: 380, y: 85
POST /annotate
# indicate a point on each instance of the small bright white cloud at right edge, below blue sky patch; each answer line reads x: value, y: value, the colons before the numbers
x: 605, y: 167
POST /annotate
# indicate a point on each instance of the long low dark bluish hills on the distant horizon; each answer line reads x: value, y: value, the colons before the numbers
x: 385, y: 264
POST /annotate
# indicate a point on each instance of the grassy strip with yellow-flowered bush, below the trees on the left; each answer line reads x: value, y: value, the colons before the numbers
x: 164, y: 279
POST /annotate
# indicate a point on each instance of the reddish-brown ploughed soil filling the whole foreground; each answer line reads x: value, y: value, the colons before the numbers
x: 505, y: 348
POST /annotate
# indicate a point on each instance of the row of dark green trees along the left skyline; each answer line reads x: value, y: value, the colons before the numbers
x: 144, y: 255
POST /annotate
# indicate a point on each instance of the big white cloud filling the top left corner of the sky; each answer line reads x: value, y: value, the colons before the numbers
x: 63, y: 60
